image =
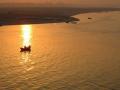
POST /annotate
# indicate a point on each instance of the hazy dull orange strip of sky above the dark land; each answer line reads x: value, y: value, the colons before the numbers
x: 83, y: 3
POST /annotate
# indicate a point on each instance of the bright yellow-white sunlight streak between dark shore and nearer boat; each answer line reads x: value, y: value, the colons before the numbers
x: 26, y: 34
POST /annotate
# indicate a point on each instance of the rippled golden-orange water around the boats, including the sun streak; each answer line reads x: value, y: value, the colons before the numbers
x: 83, y: 56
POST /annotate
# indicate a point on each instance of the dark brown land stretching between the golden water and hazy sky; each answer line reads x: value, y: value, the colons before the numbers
x: 40, y: 15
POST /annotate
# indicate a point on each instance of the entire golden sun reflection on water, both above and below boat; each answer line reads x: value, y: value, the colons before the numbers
x: 26, y: 62
